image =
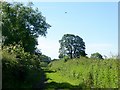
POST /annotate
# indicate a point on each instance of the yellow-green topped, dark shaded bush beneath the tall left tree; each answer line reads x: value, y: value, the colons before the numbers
x: 19, y: 67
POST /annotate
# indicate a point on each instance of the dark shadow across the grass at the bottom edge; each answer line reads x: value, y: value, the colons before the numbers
x: 55, y: 85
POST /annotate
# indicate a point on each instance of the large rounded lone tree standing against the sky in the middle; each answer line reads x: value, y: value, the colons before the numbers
x: 72, y: 46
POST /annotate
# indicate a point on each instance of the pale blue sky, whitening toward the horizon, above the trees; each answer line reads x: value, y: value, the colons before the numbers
x: 95, y: 22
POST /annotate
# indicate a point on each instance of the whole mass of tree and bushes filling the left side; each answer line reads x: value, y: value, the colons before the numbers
x: 21, y: 26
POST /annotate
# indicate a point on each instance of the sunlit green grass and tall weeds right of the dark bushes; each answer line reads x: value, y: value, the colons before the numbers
x: 83, y: 73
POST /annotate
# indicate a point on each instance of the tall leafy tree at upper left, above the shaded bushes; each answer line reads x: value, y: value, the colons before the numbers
x: 22, y: 24
